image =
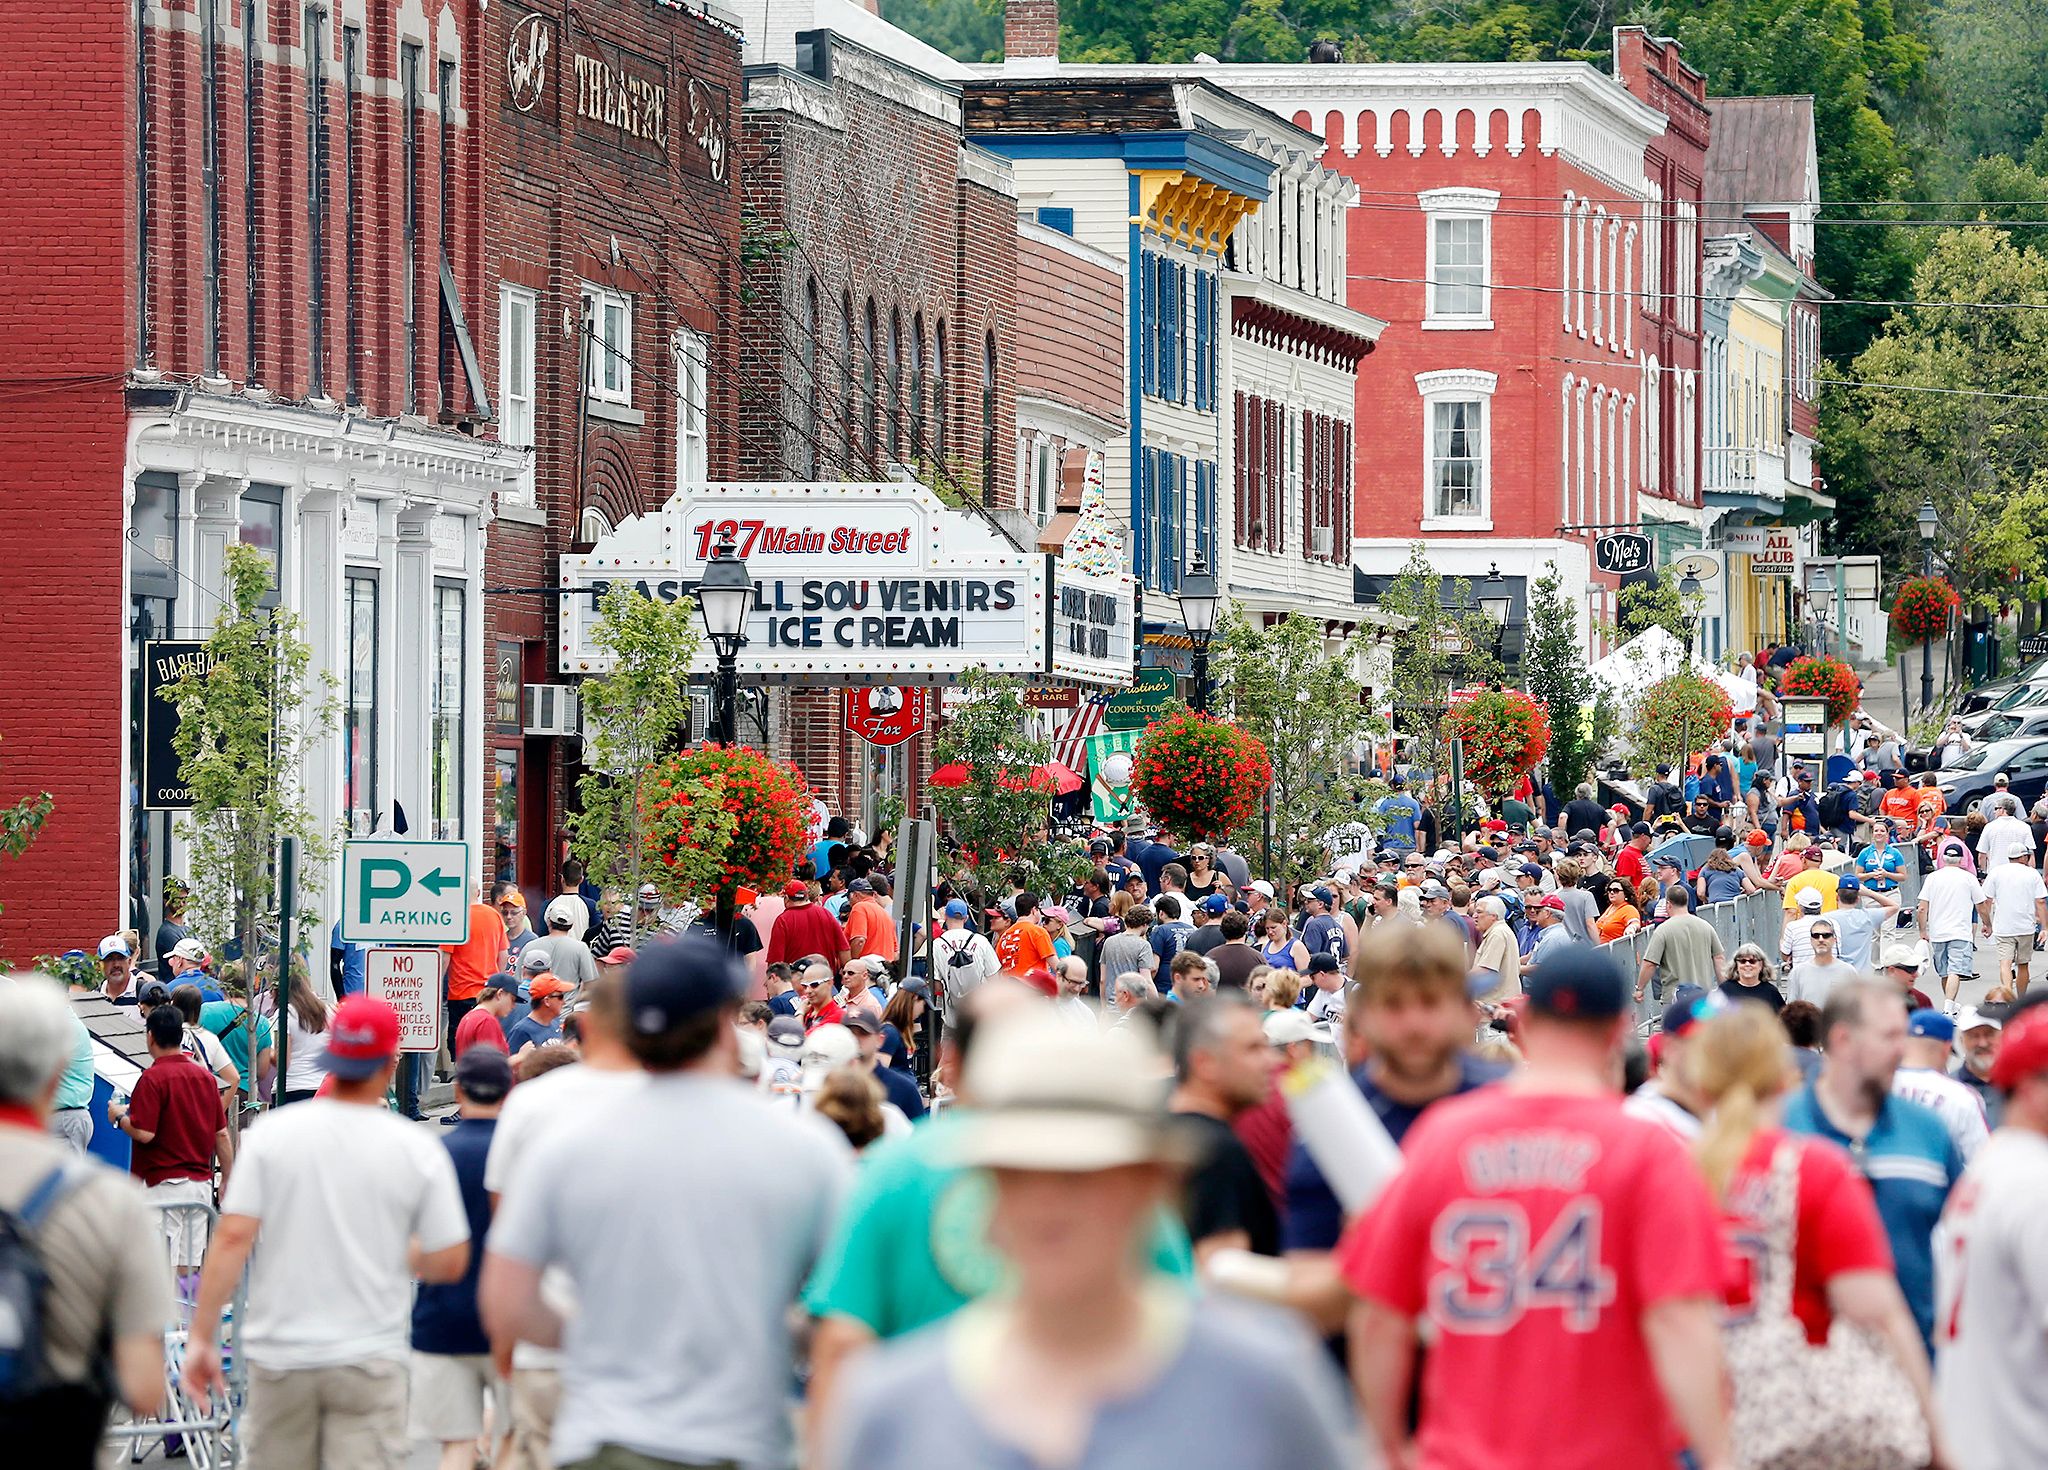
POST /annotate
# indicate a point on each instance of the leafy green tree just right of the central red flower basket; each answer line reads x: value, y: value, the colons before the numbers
x: 1299, y: 695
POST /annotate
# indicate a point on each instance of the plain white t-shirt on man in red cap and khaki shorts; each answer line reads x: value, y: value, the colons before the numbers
x: 339, y: 1191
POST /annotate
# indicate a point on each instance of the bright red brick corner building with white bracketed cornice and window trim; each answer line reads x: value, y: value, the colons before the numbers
x: 1535, y: 251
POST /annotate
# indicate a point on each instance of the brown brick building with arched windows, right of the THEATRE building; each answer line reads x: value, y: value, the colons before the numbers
x: 880, y: 329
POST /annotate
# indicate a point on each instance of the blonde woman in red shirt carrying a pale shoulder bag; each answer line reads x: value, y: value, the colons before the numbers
x: 1793, y: 1207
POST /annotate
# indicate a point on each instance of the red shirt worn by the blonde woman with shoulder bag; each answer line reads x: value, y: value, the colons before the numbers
x: 1838, y: 1225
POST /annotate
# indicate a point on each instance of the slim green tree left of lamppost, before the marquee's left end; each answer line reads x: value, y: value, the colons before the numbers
x: 636, y: 716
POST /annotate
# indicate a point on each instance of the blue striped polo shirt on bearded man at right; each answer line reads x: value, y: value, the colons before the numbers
x: 1912, y: 1164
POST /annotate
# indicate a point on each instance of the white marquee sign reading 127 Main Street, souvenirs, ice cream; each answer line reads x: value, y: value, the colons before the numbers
x: 853, y: 585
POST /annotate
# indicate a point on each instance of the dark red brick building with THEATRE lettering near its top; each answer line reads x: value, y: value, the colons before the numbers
x: 613, y: 337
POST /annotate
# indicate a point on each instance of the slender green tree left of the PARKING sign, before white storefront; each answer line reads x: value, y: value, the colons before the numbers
x: 245, y: 726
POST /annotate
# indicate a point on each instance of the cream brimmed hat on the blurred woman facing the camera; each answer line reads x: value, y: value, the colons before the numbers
x: 1062, y: 1100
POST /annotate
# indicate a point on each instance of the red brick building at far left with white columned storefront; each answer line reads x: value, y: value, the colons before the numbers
x: 245, y: 282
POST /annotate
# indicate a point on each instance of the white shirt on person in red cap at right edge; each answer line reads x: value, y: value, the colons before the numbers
x: 1992, y: 1307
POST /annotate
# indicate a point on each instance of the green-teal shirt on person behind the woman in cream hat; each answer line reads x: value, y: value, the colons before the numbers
x: 910, y: 1244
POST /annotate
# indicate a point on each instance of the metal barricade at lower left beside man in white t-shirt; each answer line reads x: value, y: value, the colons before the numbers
x: 208, y: 1432
